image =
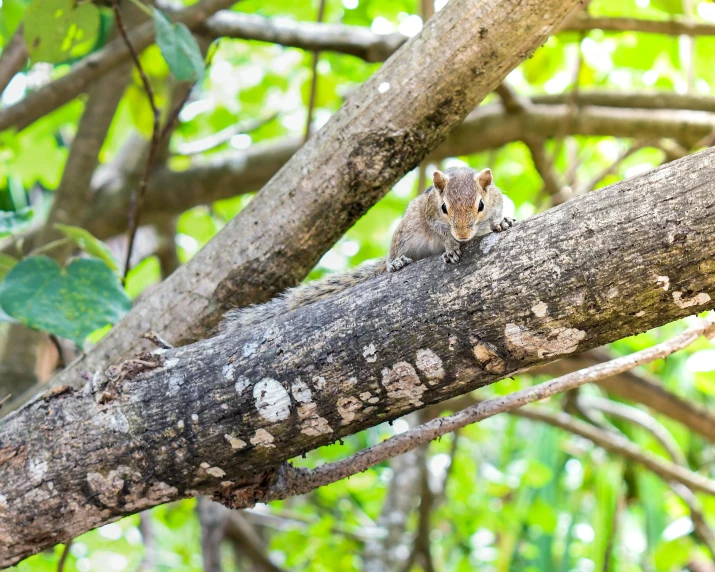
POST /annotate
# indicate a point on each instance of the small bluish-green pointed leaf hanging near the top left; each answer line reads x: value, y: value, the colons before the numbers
x: 179, y: 48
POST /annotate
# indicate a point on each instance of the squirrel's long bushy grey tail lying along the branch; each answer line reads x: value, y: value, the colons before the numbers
x: 300, y: 296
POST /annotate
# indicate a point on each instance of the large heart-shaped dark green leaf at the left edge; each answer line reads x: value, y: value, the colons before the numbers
x: 69, y: 302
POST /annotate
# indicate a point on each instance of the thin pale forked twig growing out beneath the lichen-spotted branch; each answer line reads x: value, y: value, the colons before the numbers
x: 295, y: 481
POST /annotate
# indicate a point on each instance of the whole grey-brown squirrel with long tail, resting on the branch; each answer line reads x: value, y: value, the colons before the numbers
x: 461, y: 205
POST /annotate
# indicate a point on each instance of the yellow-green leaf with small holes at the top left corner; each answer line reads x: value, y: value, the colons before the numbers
x: 57, y: 30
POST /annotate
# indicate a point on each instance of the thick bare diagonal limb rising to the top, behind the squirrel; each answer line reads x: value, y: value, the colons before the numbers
x: 384, y: 130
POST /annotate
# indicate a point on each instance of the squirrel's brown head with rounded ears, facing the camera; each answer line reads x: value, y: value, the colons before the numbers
x: 461, y: 196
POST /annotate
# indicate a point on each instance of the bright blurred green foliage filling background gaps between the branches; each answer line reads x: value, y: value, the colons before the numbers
x: 520, y: 496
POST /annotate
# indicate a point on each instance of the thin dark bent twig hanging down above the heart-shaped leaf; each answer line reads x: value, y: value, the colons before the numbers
x: 137, y: 198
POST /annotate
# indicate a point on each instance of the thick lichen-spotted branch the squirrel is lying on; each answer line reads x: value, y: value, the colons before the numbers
x: 217, y: 417
